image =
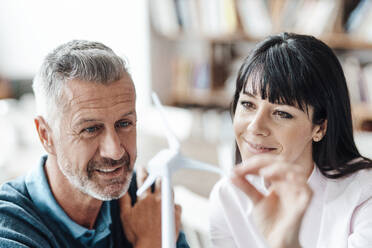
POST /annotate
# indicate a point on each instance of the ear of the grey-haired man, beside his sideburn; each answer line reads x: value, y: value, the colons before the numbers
x: 45, y: 134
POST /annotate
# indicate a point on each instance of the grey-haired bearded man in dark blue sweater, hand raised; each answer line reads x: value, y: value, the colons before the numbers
x: 82, y: 194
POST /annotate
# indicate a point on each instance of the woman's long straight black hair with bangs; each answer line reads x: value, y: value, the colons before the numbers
x: 302, y: 71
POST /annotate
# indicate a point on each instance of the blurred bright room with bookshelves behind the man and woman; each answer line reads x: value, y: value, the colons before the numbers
x: 188, y: 51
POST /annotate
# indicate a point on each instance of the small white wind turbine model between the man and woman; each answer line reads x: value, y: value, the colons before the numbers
x: 163, y: 165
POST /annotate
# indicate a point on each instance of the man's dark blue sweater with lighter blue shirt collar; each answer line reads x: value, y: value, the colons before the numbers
x: 31, y: 217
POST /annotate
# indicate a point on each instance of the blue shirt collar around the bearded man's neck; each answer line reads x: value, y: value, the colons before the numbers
x: 40, y: 193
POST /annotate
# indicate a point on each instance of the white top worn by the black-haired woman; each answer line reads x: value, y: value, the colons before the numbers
x: 339, y: 215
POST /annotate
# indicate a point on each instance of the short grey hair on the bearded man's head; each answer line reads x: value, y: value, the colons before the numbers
x: 75, y: 60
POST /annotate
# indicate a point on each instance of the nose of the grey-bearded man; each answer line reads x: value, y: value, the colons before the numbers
x: 111, y: 145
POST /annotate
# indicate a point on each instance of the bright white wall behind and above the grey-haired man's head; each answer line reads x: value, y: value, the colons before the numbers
x: 29, y: 29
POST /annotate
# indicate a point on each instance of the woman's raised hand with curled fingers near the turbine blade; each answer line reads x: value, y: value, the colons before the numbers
x: 277, y: 215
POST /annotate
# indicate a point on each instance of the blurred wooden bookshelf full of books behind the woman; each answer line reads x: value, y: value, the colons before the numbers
x: 198, y: 45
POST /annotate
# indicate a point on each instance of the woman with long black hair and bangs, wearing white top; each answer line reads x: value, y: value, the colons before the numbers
x: 302, y: 181
